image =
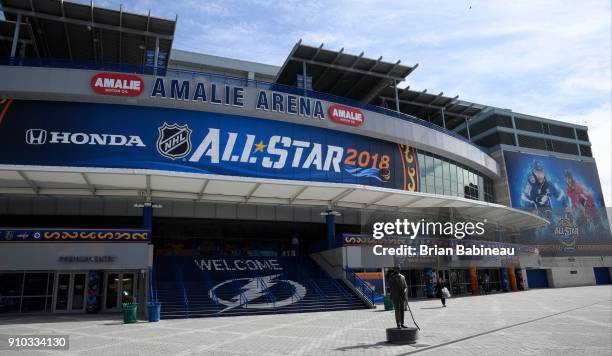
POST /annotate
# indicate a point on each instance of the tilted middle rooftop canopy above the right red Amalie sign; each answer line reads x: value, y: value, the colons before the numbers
x: 335, y: 72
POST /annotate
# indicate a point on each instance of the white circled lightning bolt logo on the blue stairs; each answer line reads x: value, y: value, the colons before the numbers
x: 265, y: 292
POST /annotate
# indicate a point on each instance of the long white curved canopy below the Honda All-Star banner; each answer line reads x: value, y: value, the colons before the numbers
x: 101, y: 182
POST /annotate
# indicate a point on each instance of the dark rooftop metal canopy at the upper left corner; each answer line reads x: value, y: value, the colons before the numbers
x: 66, y: 30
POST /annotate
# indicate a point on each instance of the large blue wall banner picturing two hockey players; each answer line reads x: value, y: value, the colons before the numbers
x: 568, y: 194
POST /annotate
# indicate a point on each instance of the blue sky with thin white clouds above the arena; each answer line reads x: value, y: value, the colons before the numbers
x: 544, y: 58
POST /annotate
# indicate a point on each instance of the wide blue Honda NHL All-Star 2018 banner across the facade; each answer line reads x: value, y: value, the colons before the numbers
x: 116, y: 136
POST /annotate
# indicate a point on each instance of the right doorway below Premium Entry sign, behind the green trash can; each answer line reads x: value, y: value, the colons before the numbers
x: 119, y: 287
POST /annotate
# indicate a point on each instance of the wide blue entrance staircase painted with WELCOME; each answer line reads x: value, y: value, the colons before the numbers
x: 224, y: 286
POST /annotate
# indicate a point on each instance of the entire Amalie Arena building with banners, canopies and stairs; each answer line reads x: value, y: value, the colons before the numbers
x: 130, y: 170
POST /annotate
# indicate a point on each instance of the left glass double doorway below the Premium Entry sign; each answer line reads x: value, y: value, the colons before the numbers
x: 70, y: 290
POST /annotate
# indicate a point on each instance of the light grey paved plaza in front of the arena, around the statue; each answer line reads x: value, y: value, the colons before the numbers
x: 565, y: 321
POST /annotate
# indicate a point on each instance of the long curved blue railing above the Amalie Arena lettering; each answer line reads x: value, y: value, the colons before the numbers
x: 181, y: 73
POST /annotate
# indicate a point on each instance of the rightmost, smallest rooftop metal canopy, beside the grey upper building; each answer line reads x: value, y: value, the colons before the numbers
x: 442, y: 110
